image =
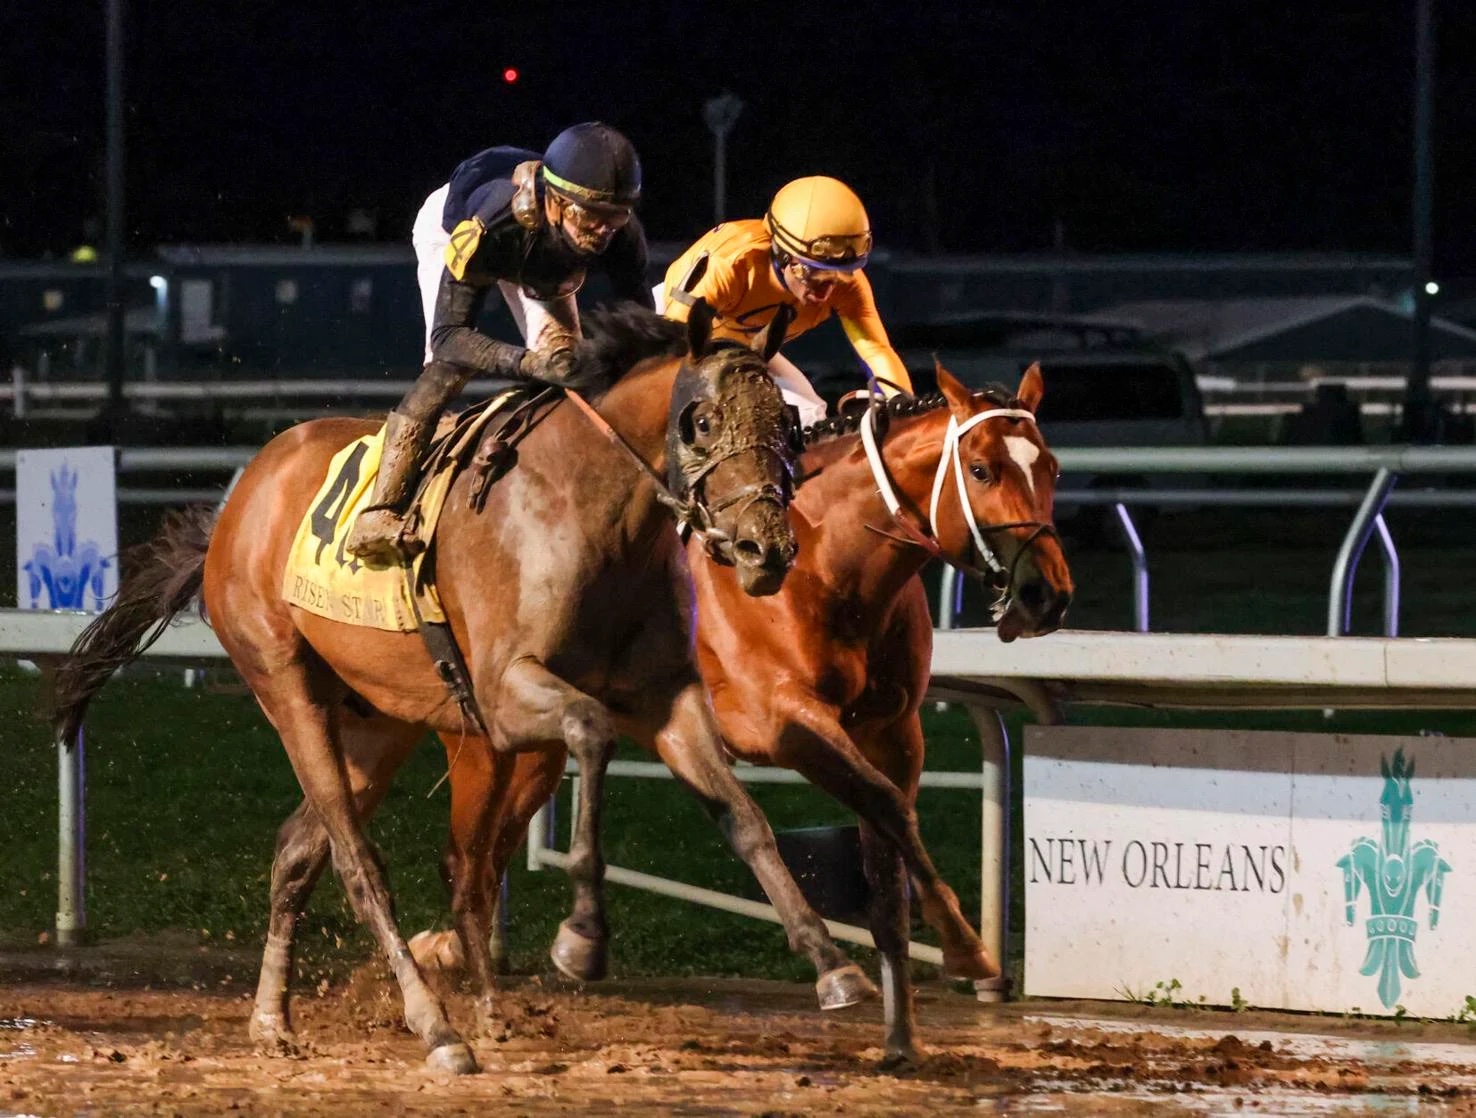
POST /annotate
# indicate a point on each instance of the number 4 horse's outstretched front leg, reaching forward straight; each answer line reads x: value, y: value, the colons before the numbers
x: 692, y: 748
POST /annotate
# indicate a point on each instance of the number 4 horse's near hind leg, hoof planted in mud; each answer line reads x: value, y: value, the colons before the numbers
x: 305, y: 717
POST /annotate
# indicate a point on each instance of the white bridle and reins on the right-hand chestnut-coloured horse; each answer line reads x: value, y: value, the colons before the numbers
x: 925, y: 535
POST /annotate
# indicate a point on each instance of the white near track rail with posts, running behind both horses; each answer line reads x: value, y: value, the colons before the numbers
x: 972, y: 668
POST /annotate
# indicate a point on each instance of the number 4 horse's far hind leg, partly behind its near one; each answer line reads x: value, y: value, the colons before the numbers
x: 374, y: 751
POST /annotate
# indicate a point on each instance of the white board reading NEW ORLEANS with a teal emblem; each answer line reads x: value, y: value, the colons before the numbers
x: 1310, y: 872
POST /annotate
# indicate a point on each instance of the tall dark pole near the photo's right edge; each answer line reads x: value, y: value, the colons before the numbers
x: 1419, y: 408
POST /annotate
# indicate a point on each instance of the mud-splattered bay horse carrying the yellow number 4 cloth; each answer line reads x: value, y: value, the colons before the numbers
x: 570, y: 599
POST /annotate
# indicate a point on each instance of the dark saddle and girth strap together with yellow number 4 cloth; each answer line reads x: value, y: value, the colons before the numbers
x: 324, y: 580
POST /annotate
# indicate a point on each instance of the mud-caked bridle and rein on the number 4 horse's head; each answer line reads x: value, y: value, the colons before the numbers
x: 694, y: 515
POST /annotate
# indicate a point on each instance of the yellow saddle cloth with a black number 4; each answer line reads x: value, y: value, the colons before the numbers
x: 324, y: 580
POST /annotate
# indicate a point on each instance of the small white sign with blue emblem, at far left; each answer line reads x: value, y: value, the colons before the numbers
x: 67, y: 529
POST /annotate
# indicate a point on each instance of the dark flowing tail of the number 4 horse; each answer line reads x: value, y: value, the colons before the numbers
x: 163, y: 578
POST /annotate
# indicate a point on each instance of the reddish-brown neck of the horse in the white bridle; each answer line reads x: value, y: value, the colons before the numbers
x: 849, y: 515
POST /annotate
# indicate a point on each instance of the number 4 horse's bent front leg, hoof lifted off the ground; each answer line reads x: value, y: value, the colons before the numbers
x: 535, y: 705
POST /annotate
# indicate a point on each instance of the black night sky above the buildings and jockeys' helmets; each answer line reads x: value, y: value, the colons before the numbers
x: 1142, y: 126
